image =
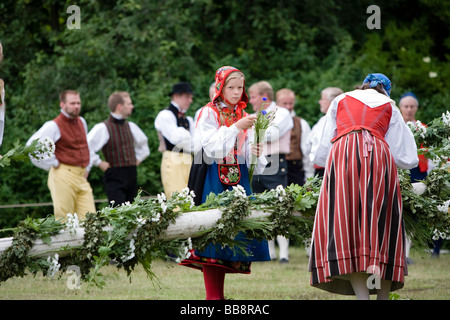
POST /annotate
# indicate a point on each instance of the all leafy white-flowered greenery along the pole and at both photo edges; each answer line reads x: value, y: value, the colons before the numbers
x: 130, y: 234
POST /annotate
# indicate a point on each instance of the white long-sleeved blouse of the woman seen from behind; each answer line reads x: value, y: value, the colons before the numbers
x: 399, y: 137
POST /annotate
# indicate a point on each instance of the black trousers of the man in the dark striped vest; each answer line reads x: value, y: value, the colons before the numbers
x: 120, y: 184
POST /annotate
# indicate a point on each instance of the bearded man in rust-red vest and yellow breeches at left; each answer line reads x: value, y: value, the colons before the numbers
x: 69, y: 165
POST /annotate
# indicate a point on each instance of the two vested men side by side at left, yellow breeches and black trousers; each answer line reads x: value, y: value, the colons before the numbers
x: 123, y: 144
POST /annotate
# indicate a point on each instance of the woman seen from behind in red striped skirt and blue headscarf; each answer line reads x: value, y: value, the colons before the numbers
x: 358, y: 237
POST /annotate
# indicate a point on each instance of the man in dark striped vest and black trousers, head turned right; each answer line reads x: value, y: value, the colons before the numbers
x: 124, y: 146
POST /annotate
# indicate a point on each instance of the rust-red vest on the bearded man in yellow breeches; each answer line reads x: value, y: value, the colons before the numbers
x: 72, y: 148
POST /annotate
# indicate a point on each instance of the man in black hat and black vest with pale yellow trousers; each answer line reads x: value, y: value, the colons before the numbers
x: 175, y: 133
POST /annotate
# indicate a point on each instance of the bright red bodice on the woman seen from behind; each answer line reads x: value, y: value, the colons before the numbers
x: 352, y: 114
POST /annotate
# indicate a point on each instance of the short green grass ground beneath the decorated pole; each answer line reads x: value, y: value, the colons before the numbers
x: 428, y: 279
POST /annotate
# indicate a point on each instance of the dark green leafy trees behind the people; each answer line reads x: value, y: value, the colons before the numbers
x: 144, y: 47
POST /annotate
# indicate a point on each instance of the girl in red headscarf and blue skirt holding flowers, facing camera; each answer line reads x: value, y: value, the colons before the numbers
x: 223, y: 150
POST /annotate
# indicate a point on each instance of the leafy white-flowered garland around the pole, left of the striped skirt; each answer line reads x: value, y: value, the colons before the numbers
x: 129, y: 234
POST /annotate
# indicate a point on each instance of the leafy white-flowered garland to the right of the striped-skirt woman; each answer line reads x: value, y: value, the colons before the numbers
x: 427, y: 214
